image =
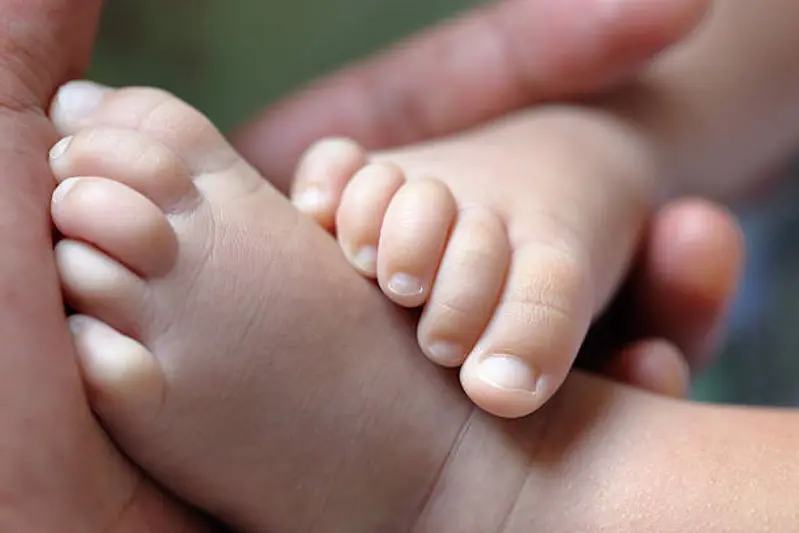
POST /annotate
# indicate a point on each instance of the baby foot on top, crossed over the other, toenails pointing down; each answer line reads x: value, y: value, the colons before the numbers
x: 513, y: 238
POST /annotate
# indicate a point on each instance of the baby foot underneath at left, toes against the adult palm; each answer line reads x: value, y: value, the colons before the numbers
x: 214, y: 352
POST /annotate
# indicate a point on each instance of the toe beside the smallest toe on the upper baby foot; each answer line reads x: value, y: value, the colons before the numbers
x: 360, y: 216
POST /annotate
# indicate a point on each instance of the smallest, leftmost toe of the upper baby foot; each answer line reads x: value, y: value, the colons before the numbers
x: 322, y: 175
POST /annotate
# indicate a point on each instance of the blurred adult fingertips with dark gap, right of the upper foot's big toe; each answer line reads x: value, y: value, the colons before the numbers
x: 667, y: 320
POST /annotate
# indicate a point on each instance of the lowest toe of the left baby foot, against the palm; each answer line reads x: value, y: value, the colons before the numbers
x: 124, y: 381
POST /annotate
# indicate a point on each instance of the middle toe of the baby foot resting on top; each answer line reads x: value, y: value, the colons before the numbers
x: 412, y: 240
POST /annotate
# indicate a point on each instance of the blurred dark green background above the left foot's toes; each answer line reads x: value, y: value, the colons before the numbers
x: 230, y: 57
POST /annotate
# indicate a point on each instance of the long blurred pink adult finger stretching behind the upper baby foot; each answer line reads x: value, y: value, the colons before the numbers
x: 500, y: 57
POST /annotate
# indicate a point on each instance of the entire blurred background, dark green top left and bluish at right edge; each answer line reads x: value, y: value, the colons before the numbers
x: 231, y: 57
